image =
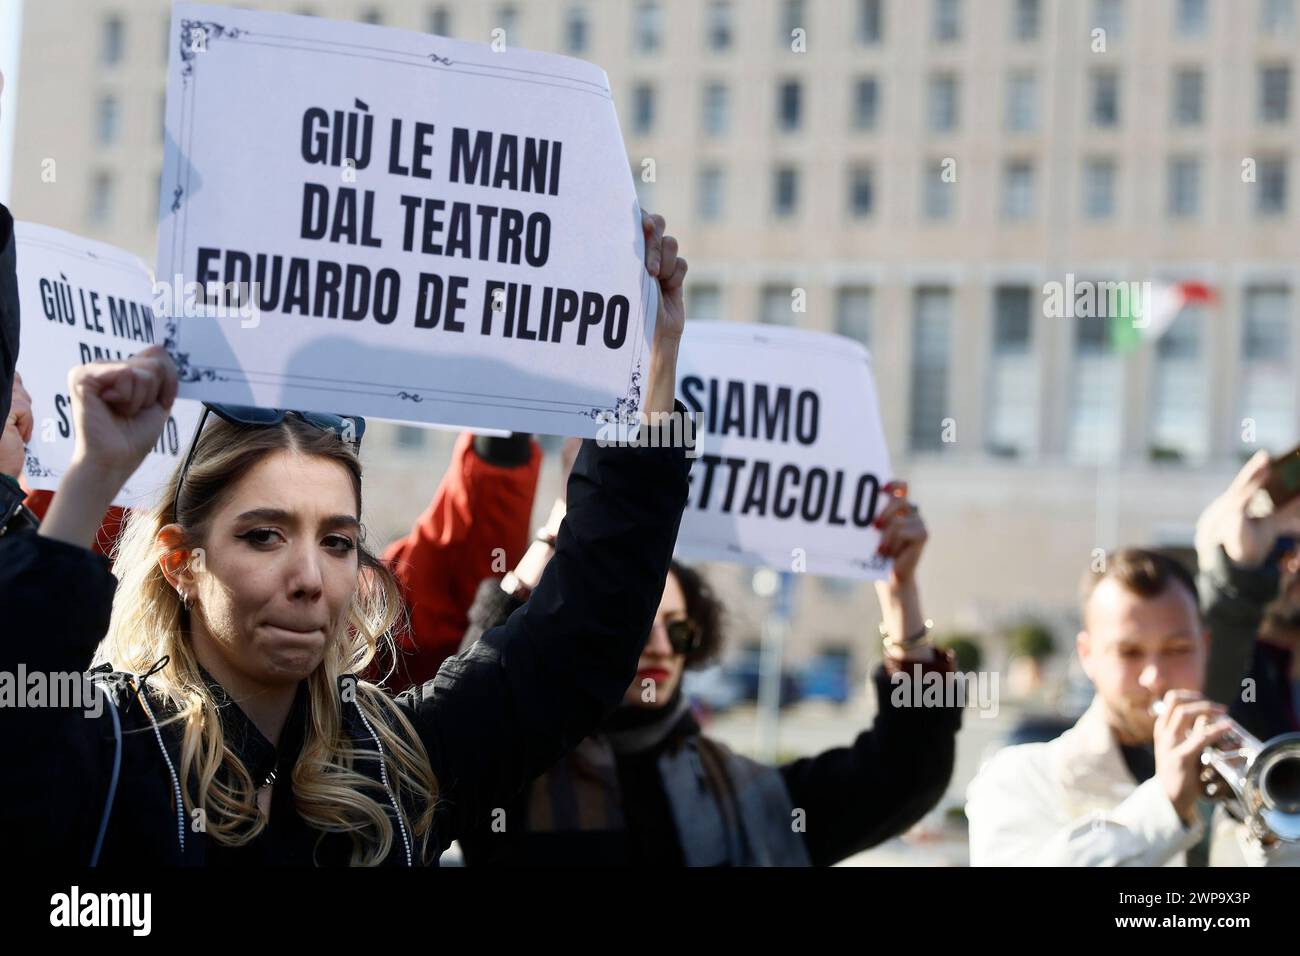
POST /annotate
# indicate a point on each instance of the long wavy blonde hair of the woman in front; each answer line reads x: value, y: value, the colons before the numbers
x: 150, y: 624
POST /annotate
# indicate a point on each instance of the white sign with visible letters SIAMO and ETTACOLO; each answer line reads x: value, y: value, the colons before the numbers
x: 794, y: 458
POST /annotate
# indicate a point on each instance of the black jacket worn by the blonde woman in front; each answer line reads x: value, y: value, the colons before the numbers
x: 495, y: 717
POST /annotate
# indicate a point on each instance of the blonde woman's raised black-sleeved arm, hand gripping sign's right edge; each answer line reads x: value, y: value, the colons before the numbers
x: 501, y: 713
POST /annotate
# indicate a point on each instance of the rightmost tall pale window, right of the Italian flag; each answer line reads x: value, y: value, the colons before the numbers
x: 1268, y: 387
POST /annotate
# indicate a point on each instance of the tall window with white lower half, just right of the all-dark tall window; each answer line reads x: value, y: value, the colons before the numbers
x: 1013, y: 386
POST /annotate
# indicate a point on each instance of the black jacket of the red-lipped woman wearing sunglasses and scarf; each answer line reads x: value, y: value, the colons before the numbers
x: 855, y: 798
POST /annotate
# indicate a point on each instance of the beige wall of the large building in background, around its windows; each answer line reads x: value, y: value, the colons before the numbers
x: 1008, y: 538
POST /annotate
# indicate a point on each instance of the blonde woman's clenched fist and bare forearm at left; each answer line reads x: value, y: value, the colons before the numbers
x: 119, y: 412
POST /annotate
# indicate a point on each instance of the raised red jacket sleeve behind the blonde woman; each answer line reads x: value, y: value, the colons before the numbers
x: 478, y: 509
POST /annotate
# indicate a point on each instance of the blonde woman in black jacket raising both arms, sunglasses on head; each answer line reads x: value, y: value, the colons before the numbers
x: 227, y: 724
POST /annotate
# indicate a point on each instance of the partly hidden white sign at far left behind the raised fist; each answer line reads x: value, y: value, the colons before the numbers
x: 83, y: 301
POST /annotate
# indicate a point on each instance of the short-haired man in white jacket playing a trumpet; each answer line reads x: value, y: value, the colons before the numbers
x: 1124, y: 786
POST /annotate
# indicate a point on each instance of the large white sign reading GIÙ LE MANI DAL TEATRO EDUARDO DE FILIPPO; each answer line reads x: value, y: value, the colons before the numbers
x: 432, y: 231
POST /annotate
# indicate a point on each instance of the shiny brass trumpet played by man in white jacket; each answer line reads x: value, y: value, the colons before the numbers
x: 1262, y: 778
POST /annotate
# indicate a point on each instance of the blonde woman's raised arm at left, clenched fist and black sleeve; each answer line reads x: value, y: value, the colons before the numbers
x: 57, y: 598
